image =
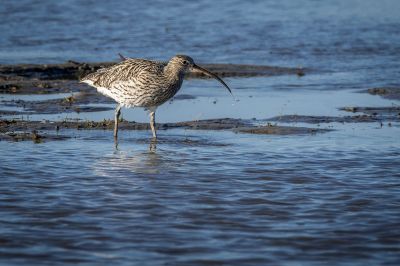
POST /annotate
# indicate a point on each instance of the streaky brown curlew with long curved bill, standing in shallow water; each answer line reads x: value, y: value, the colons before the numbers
x: 143, y: 83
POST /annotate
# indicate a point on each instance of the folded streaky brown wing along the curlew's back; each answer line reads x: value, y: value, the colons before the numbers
x: 128, y: 70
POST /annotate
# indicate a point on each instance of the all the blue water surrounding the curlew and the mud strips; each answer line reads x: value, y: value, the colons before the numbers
x: 210, y: 197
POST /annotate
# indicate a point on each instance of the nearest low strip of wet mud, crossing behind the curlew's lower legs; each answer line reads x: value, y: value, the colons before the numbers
x: 23, y: 130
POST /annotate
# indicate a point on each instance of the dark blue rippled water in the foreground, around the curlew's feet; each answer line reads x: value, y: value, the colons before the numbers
x: 203, y: 198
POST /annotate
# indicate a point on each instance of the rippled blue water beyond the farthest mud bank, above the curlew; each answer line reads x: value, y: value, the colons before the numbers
x: 337, y: 35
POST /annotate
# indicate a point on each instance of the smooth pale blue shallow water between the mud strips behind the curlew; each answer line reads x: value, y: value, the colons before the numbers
x: 267, y: 96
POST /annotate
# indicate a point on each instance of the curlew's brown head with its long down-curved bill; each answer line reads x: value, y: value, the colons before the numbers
x: 184, y: 64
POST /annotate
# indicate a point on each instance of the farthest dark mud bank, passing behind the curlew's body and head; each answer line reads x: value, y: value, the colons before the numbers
x: 61, y: 78
